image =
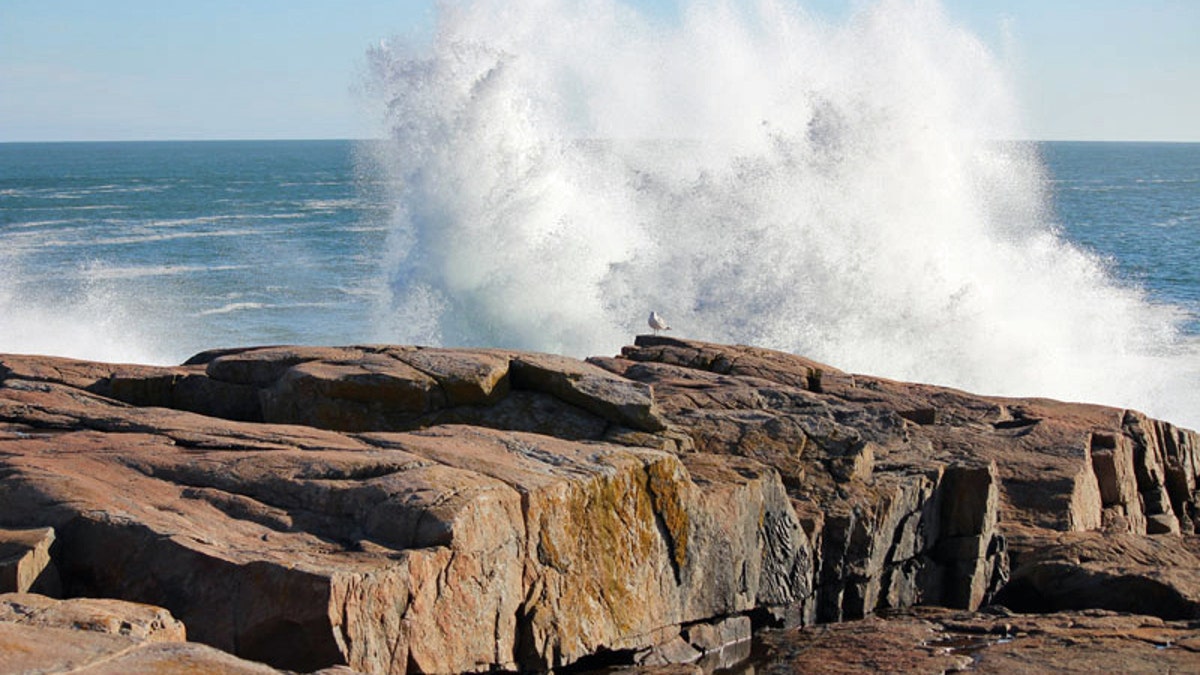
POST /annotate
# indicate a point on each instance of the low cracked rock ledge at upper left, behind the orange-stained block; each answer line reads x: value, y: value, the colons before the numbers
x: 376, y: 389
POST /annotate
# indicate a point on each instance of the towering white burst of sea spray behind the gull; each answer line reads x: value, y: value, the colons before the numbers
x: 758, y: 176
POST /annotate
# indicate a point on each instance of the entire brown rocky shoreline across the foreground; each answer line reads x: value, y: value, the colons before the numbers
x: 405, y: 510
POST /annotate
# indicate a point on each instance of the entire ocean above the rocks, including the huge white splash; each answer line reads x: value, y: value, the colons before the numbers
x: 757, y: 176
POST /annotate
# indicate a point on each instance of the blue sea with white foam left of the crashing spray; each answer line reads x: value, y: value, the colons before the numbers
x: 152, y: 252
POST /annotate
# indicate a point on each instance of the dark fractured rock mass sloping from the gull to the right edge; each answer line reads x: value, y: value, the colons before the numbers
x: 953, y: 476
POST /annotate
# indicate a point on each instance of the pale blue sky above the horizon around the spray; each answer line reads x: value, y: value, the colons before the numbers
x: 123, y: 70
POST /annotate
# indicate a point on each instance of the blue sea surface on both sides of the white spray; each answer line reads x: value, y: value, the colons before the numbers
x: 157, y: 250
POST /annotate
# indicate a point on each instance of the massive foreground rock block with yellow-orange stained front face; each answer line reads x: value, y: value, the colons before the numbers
x: 305, y: 548
